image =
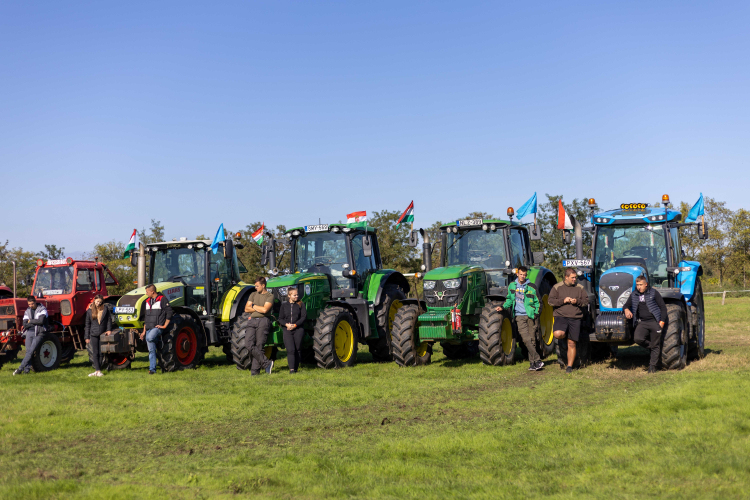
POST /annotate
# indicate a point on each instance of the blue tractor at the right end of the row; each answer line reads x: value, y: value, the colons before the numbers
x: 639, y: 240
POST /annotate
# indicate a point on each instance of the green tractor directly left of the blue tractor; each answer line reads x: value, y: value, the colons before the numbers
x: 458, y: 308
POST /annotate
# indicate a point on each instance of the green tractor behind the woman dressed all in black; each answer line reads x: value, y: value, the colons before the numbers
x: 349, y: 297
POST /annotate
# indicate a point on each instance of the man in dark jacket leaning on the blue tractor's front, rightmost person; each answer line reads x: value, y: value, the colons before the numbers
x: 647, y: 309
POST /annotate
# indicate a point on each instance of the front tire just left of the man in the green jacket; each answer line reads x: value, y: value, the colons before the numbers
x: 497, y: 344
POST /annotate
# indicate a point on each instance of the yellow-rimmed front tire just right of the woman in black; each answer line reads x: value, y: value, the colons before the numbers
x: 335, y: 339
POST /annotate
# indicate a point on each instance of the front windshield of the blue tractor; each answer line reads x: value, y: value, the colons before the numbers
x: 632, y: 245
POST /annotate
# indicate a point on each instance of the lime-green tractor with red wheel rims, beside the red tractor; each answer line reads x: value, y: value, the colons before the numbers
x: 205, y: 292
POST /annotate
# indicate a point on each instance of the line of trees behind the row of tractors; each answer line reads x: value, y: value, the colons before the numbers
x: 725, y: 255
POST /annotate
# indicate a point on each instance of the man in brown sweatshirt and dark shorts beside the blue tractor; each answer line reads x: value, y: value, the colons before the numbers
x: 568, y: 300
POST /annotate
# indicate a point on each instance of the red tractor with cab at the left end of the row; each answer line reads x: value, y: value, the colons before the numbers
x: 66, y: 288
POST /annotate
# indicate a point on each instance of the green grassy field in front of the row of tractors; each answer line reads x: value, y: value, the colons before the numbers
x: 451, y: 429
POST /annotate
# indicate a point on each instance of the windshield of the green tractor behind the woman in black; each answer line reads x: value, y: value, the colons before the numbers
x: 322, y: 253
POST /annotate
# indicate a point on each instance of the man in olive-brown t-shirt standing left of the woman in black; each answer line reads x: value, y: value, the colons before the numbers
x: 259, y: 308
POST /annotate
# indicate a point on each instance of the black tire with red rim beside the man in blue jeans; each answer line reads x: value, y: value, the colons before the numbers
x: 183, y: 345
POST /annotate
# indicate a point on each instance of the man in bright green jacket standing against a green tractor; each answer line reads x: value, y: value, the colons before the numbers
x: 523, y: 305
